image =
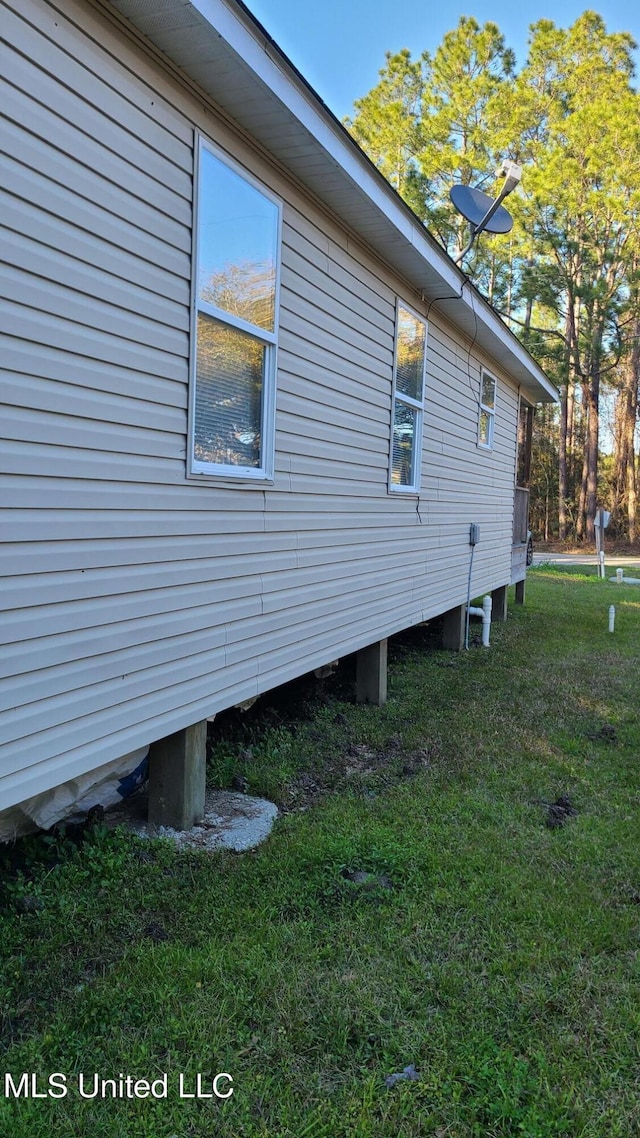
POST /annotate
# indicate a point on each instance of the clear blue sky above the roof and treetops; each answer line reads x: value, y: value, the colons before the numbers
x: 340, y: 45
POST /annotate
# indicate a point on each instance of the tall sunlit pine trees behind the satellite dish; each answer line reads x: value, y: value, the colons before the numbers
x: 569, y: 276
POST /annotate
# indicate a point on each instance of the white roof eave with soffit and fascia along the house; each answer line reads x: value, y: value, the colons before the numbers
x: 220, y: 46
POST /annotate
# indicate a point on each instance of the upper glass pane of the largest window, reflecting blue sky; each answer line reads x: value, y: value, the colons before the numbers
x: 239, y: 245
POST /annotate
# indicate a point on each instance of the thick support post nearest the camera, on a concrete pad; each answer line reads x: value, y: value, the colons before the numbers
x: 178, y: 778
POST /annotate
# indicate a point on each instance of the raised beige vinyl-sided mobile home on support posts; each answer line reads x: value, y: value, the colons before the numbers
x: 251, y: 409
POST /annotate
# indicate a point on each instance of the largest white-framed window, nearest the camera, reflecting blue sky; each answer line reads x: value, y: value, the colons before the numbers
x: 236, y: 291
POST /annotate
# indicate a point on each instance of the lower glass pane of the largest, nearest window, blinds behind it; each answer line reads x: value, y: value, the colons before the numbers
x: 229, y: 382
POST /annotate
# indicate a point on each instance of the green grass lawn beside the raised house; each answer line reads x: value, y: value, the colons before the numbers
x: 413, y: 908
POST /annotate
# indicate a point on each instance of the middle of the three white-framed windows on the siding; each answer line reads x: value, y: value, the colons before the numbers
x: 411, y: 360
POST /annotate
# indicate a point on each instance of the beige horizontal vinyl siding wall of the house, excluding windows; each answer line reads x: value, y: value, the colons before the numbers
x: 137, y: 600
